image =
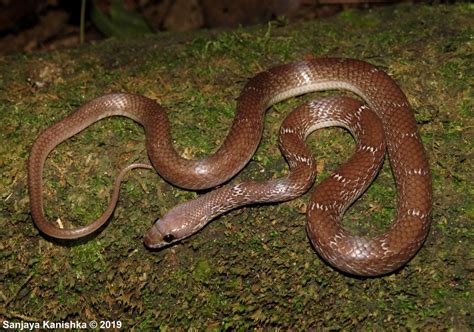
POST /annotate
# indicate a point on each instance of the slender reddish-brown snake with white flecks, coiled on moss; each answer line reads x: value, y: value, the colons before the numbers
x: 352, y: 254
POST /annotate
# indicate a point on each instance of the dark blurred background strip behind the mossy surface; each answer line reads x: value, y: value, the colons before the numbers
x: 32, y: 25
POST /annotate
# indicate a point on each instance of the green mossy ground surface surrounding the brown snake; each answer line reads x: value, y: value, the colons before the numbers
x: 253, y: 267
